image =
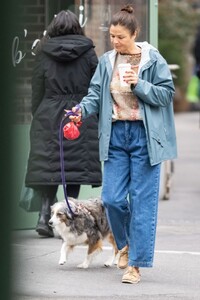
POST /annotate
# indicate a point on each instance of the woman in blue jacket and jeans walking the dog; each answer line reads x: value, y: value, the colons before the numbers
x: 137, y: 133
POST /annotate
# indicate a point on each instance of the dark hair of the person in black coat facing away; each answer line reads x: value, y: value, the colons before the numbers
x: 65, y: 22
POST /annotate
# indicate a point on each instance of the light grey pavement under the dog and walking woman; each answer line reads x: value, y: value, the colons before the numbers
x: 176, y: 275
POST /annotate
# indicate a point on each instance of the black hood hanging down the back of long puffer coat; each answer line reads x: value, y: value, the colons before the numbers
x: 67, y: 47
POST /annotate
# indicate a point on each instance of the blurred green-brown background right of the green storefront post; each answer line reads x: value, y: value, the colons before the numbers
x: 177, y: 25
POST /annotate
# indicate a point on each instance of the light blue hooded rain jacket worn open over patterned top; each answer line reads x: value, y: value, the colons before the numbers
x: 155, y: 91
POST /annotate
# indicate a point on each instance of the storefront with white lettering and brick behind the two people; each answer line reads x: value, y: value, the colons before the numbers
x: 94, y: 16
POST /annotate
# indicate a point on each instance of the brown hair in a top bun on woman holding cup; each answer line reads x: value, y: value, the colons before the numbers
x: 126, y: 17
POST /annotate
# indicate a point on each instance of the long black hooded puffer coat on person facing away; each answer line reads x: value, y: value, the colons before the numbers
x: 61, y: 77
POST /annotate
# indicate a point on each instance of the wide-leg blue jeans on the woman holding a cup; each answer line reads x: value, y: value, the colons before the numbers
x: 130, y: 192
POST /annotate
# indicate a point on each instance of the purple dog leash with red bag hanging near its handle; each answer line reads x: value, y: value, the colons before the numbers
x: 71, y: 137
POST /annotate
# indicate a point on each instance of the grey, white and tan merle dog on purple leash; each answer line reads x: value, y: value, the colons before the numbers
x: 87, y: 225
